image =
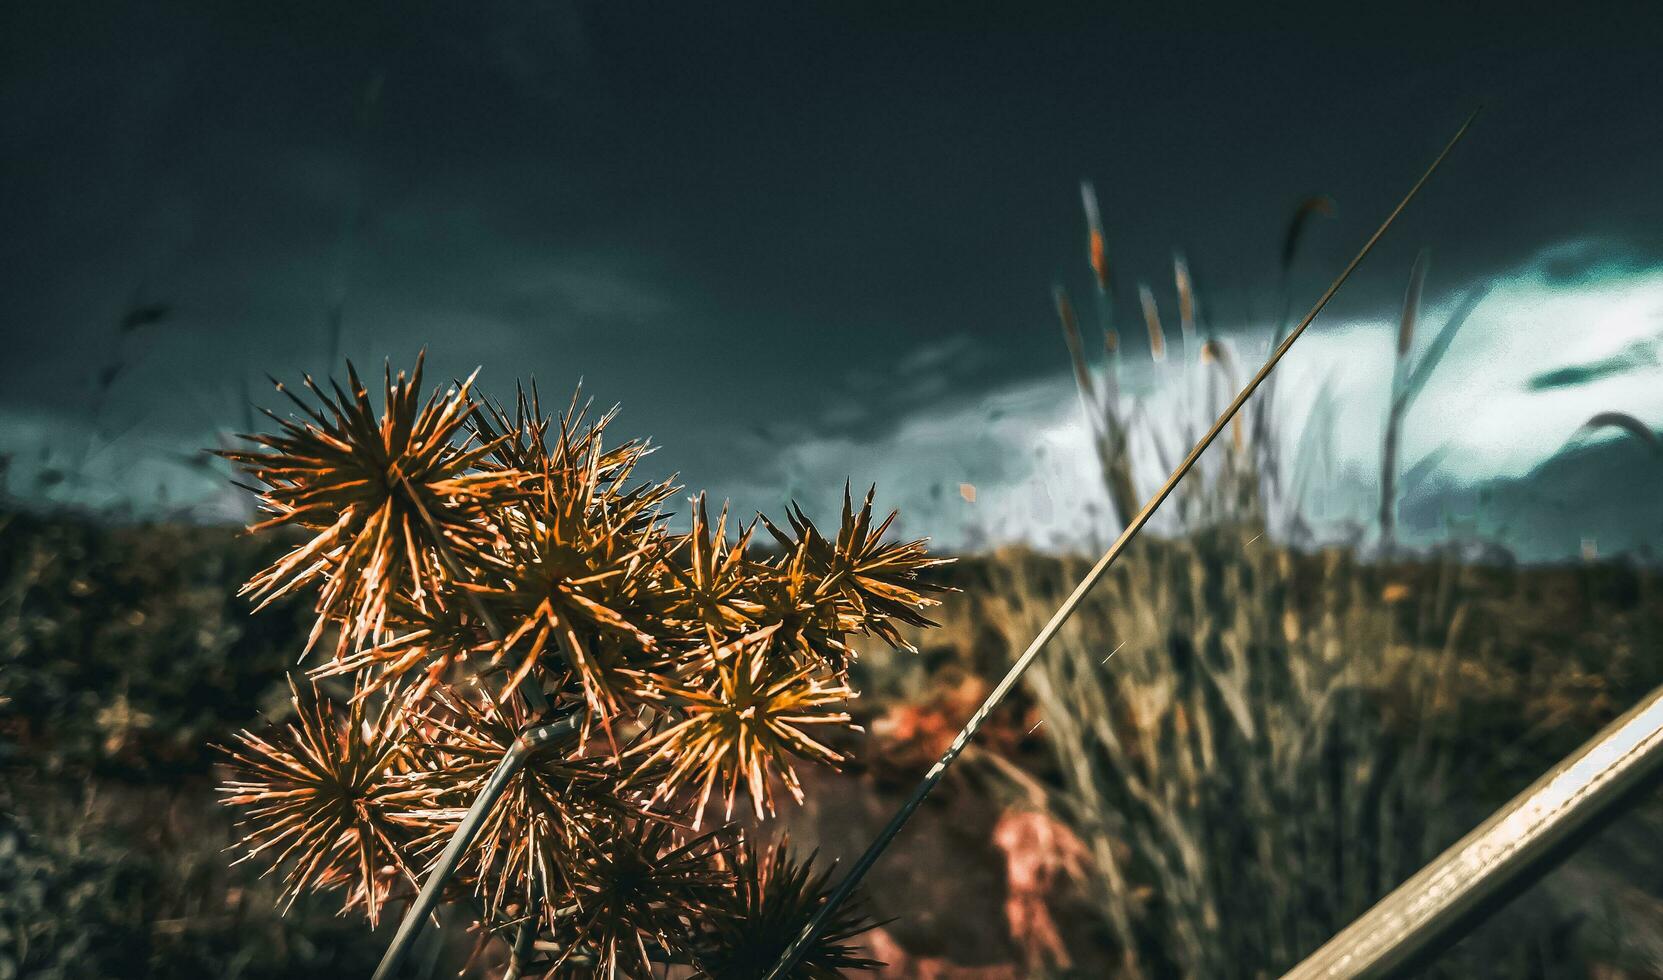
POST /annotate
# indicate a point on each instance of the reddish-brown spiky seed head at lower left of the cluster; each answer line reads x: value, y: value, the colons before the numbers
x: 325, y: 801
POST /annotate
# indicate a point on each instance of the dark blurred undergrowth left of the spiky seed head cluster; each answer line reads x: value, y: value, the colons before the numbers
x: 124, y: 656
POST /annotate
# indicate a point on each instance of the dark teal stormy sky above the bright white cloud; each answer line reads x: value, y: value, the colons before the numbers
x: 751, y: 222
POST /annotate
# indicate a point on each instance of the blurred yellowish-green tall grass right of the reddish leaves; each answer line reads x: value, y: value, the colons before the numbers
x: 1281, y: 738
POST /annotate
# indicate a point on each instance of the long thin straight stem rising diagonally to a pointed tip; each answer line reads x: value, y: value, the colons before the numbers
x: 904, y: 814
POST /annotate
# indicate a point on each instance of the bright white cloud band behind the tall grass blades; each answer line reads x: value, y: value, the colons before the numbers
x: 1027, y: 448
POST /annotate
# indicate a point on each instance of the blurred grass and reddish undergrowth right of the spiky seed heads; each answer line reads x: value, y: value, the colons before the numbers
x: 1240, y: 748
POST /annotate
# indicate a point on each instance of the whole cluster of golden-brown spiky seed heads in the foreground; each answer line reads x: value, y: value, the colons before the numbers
x: 486, y: 570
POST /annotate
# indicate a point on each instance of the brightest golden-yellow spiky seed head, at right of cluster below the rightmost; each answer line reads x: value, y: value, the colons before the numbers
x: 744, y: 718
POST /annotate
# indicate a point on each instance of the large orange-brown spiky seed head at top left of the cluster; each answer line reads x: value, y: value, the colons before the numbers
x: 390, y: 500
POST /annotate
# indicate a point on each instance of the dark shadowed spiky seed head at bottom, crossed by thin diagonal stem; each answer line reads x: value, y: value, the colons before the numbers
x: 772, y: 901
